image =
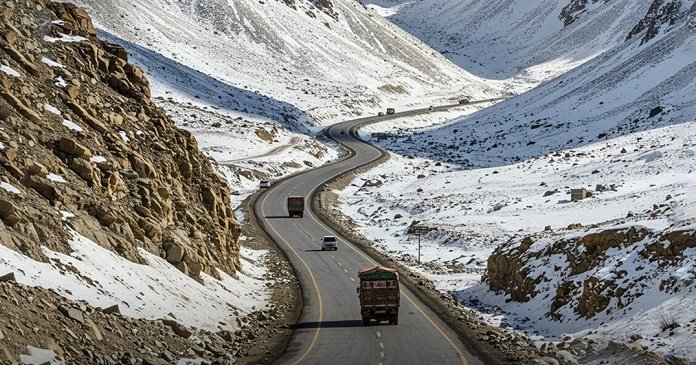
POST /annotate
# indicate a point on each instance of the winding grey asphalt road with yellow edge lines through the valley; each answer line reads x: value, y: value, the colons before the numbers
x: 330, y: 330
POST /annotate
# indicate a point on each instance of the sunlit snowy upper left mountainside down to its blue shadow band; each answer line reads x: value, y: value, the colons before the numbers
x: 286, y: 62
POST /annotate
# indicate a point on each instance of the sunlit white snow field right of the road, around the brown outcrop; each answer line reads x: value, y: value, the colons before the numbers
x: 476, y: 210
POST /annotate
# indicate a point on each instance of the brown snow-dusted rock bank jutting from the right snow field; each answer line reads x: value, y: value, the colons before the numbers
x: 573, y: 271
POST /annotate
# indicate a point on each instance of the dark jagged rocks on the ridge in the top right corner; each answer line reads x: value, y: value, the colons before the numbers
x: 661, y: 13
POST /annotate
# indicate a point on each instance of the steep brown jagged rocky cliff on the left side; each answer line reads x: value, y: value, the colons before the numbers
x: 84, y: 149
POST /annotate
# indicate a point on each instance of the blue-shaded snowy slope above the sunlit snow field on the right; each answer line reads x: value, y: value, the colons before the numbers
x: 628, y: 89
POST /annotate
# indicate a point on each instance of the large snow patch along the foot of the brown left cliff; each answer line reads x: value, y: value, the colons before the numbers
x: 150, y: 291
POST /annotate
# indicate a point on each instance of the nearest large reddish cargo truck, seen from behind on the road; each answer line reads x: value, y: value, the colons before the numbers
x: 378, y: 291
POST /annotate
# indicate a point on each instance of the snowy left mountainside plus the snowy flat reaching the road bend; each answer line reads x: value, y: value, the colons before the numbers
x: 253, y: 78
